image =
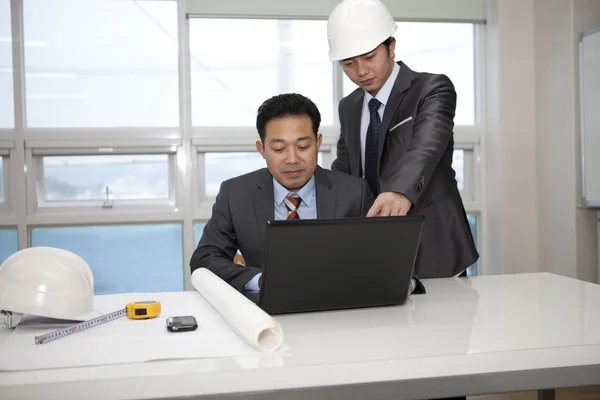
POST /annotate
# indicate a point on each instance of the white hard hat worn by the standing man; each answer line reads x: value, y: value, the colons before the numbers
x: 357, y: 27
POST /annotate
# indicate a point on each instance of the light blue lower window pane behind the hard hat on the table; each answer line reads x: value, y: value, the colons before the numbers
x: 126, y: 258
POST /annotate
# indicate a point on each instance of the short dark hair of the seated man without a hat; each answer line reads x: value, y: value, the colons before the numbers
x: 287, y: 105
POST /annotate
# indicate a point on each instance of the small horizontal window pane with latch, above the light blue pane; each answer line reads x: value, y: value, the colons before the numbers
x: 128, y: 177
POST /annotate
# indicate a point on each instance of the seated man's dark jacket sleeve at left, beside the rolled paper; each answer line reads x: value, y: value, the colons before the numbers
x: 218, y: 246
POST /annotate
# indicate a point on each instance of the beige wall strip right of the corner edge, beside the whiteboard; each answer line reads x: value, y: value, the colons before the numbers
x: 555, y: 114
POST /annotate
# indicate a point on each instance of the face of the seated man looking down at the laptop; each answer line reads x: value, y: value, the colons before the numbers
x: 291, y: 150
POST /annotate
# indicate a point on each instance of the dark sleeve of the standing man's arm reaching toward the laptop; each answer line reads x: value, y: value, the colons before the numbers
x: 432, y: 132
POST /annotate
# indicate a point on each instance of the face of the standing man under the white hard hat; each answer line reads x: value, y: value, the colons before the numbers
x: 370, y: 71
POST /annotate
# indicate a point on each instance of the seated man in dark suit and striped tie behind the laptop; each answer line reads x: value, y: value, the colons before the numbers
x: 292, y: 186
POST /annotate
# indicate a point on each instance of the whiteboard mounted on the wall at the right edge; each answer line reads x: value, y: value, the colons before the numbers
x: 589, y: 81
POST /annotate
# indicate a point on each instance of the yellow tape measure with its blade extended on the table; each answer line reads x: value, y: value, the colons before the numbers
x: 135, y: 310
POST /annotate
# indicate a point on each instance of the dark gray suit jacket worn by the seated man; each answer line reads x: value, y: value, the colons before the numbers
x: 245, y: 204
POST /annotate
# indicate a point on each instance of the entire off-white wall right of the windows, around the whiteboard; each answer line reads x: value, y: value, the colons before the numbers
x: 534, y: 131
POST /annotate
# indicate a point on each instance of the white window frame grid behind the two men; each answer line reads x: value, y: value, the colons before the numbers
x: 189, y: 173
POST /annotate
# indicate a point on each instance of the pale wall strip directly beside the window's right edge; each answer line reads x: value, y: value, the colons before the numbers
x: 510, y: 146
